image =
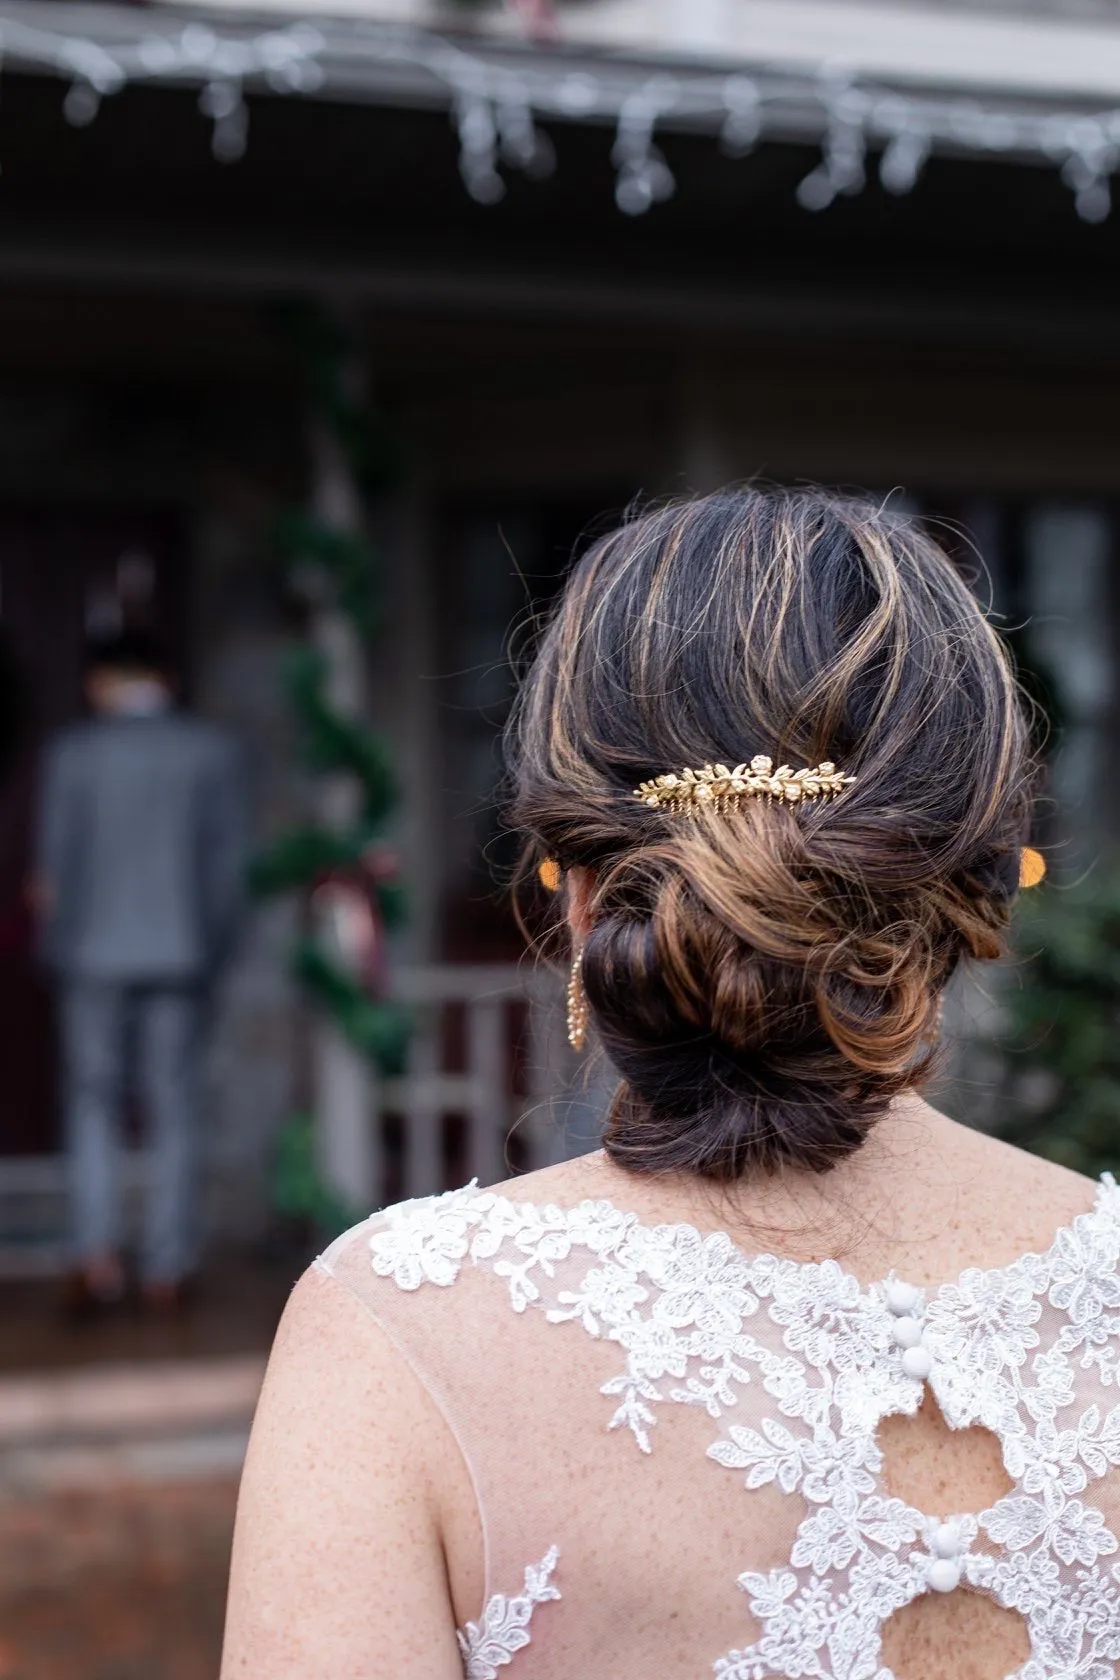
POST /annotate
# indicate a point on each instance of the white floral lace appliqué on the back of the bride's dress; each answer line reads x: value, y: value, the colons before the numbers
x: 698, y: 1321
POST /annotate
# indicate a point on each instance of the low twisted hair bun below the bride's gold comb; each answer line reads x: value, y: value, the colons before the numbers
x: 750, y: 1019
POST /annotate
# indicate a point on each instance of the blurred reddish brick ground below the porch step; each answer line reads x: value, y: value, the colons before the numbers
x: 122, y: 1583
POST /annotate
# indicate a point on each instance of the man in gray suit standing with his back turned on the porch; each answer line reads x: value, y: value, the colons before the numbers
x: 140, y: 881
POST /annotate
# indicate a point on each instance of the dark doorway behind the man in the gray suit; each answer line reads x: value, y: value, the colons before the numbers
x: 63, y: 575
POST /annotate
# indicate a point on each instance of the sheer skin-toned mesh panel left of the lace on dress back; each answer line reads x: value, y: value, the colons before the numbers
x: 634, y: 1533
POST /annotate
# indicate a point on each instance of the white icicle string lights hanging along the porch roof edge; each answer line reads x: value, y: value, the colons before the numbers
x: 500, y: 98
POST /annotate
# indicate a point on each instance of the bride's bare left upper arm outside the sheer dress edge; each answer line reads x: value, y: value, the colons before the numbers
x: 338, y: 1553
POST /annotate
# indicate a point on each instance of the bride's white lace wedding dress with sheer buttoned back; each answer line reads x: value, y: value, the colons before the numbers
x: 676, y: 1444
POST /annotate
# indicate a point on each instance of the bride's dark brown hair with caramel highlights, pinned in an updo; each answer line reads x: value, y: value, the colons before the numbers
x: 767, y: 980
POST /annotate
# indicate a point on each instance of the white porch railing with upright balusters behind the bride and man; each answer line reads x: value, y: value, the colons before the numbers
x: 491, y: 1088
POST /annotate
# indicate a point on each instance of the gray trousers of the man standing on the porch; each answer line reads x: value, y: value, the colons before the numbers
x: 164, y: 1027
